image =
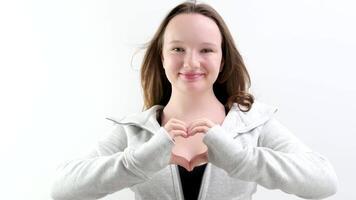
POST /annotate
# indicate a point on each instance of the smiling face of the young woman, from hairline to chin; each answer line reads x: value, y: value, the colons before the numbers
x: 191, y: 53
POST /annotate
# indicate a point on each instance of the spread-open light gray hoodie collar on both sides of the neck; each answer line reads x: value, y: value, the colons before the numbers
x: 235, y: 122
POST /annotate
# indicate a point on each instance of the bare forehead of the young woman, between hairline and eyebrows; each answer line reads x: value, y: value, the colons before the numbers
x: 192, y: 28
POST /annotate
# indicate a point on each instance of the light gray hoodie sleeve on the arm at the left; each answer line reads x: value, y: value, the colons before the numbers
x: 112, y: 166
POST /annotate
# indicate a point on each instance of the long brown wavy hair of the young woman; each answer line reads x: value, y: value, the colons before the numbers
x: 232, y: 83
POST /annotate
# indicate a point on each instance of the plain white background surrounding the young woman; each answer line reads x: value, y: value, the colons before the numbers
x: 66, y: 65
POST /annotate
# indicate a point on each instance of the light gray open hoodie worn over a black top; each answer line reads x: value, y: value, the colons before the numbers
x: 248, y: 149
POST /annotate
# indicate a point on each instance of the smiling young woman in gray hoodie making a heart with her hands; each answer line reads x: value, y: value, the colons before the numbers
x: 201, y: 134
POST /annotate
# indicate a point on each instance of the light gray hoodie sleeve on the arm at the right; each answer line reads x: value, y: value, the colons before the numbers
x: 279, y: 161
